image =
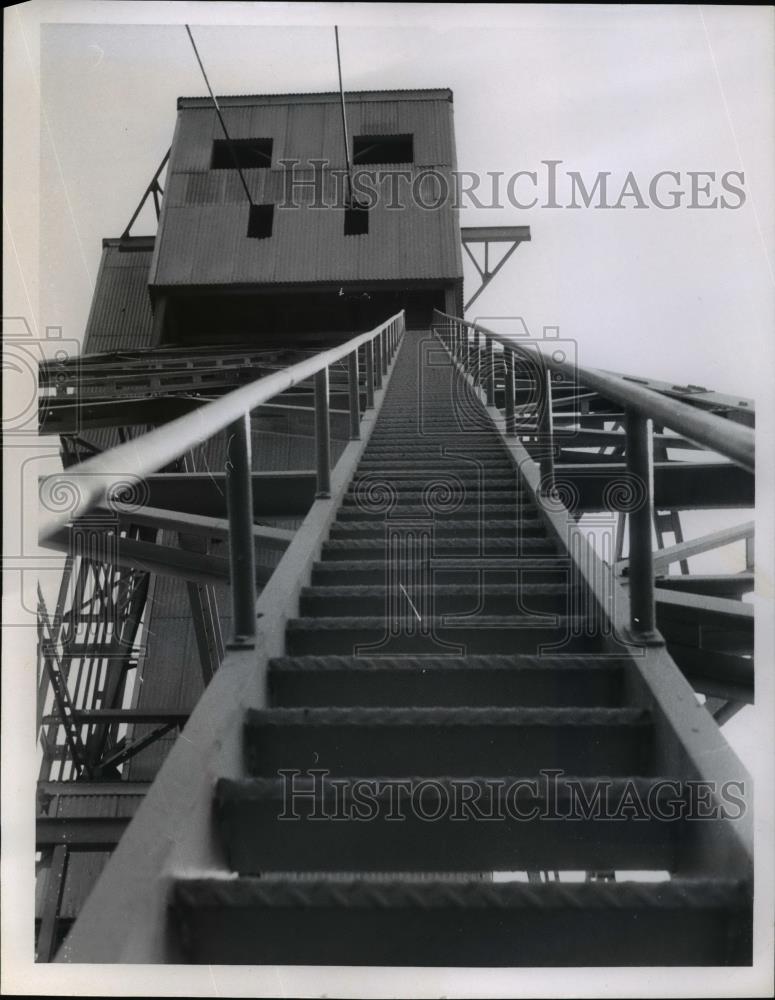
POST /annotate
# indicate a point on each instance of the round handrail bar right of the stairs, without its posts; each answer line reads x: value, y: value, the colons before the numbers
x: 733, y: 441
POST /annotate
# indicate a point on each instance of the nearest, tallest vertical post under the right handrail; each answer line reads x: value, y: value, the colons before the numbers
x: 641, y: 565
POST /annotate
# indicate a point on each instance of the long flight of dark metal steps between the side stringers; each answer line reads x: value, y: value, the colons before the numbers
x: 433, y: 653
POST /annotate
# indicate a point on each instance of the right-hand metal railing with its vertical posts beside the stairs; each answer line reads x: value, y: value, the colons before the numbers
x: 482, y: 353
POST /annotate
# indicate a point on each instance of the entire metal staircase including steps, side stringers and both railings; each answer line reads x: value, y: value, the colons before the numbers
x: 439, y: 694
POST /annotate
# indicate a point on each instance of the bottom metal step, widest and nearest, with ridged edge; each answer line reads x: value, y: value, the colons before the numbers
x: 418, y: 923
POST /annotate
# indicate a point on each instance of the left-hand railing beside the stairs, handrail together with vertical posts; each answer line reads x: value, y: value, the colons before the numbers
x: 105, y: 478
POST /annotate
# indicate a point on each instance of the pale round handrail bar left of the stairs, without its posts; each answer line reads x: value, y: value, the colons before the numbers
x: 145, y: 455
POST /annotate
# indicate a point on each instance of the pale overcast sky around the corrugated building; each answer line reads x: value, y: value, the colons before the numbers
x: 681, y: 294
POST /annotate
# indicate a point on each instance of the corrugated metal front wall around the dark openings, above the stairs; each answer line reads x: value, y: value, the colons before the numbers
x: 203, y: 232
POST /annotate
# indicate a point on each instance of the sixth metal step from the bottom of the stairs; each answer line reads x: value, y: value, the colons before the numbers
x: 438, y: 599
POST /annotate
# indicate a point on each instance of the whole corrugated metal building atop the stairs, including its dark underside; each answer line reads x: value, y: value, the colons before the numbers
x: 303, y: 269
